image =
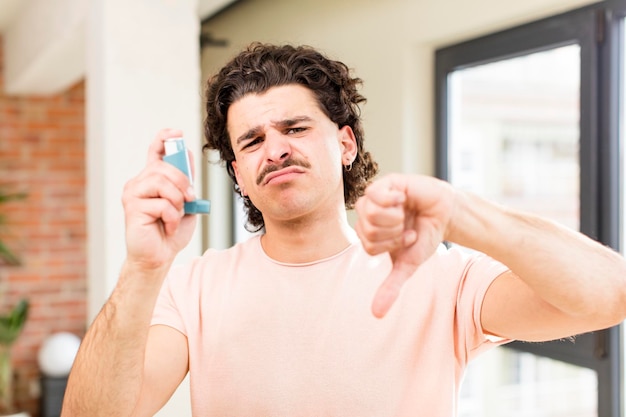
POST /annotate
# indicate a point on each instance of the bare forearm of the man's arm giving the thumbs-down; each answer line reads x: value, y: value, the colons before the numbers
x: 568, y: 270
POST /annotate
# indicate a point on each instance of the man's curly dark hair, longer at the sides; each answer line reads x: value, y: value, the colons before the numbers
x: 260, y: 67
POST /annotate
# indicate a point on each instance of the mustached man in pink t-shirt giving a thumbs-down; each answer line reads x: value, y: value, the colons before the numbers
x: 311, y: 317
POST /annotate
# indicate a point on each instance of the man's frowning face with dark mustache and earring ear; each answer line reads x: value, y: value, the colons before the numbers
x: 288, y: 154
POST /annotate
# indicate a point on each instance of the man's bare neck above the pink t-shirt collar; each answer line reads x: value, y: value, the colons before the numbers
x: 307, y: 240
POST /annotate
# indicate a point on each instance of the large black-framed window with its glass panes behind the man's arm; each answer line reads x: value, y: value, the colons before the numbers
x: 529, y: 117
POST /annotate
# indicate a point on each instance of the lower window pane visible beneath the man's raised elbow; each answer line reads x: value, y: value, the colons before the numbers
x: 504, y: 382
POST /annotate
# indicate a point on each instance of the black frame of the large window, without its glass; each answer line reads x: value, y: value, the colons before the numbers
x: 598, y: 29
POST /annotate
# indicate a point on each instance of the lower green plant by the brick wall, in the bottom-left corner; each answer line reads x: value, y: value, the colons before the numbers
x: 10, y: 327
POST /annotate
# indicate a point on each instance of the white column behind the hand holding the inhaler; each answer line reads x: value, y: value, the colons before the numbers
x: 143, y: 74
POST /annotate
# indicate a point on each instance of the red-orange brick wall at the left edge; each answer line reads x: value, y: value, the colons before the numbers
x: 42, y: 153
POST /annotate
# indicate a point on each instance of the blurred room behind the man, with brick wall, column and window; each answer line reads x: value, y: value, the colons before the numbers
x: 520, y: 103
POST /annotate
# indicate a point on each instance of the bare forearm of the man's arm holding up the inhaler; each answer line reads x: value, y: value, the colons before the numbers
x: 107, y: 375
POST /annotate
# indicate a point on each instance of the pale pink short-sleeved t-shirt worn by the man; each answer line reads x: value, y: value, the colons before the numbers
x: 270, y: 339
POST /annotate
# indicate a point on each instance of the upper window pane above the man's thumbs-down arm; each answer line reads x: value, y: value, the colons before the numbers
x: 514, y: 132
